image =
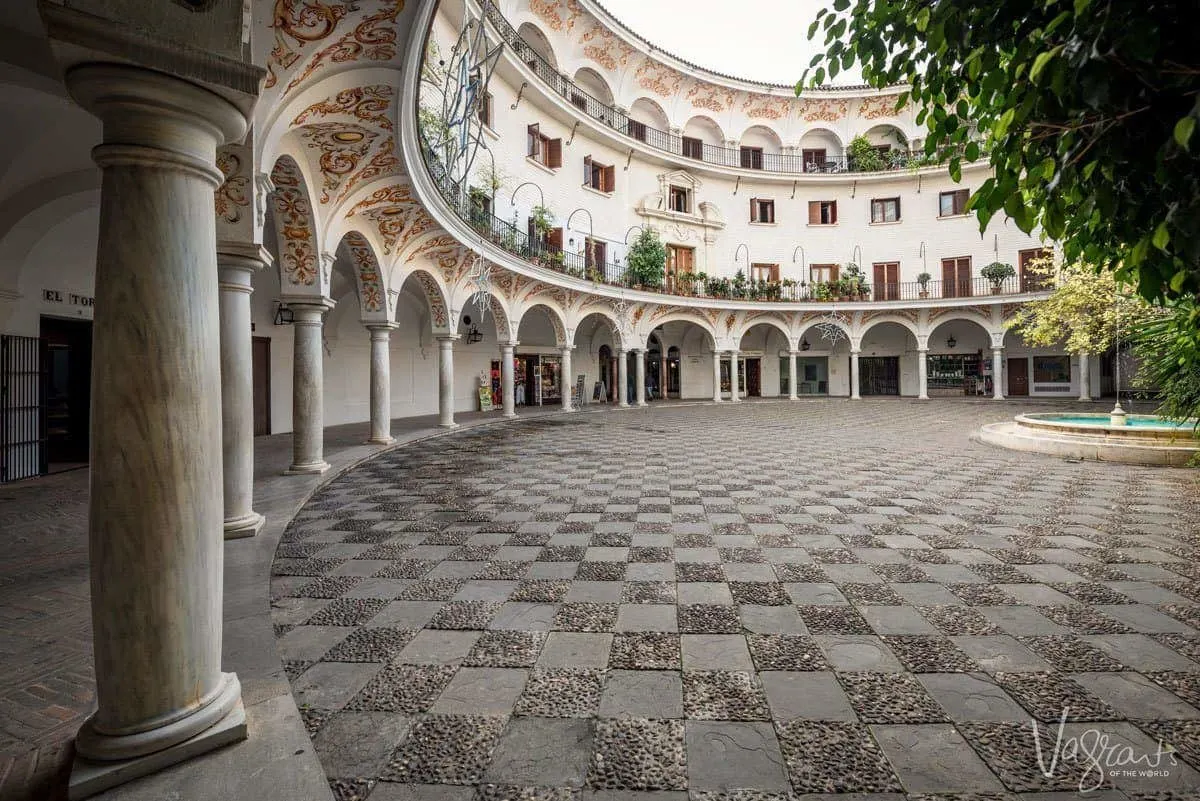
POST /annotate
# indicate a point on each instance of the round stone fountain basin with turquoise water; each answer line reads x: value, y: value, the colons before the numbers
x: 1141, y: 439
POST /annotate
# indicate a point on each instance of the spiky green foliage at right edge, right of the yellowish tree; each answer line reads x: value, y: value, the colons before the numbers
x: 1171, y: 360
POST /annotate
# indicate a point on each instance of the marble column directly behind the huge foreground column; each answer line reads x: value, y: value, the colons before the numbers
x: 237, y: 264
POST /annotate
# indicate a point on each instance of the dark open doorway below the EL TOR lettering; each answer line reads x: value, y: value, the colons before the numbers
x: 68, y: 359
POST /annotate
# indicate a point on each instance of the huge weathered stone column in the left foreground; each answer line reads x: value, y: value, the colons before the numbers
x: 157, y: 517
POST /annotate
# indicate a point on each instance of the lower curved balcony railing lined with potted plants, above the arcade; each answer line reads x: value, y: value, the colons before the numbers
x: 538, y: 251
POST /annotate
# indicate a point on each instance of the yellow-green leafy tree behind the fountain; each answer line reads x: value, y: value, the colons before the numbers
x: 1085, y: 314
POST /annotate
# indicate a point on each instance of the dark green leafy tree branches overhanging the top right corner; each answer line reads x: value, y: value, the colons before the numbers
x: 1088, y: 111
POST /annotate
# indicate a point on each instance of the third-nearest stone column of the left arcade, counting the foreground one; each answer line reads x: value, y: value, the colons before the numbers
x: 308, y: 387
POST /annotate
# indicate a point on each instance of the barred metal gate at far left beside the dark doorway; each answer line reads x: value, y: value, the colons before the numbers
x: 23, y: 435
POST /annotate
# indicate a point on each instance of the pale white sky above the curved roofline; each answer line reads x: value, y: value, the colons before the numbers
x: 765, y: 40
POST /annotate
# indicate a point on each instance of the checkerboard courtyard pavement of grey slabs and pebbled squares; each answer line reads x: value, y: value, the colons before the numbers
x: 753, y: 604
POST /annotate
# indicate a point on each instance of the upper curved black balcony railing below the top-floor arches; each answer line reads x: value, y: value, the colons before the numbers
x: 686, y: 147
